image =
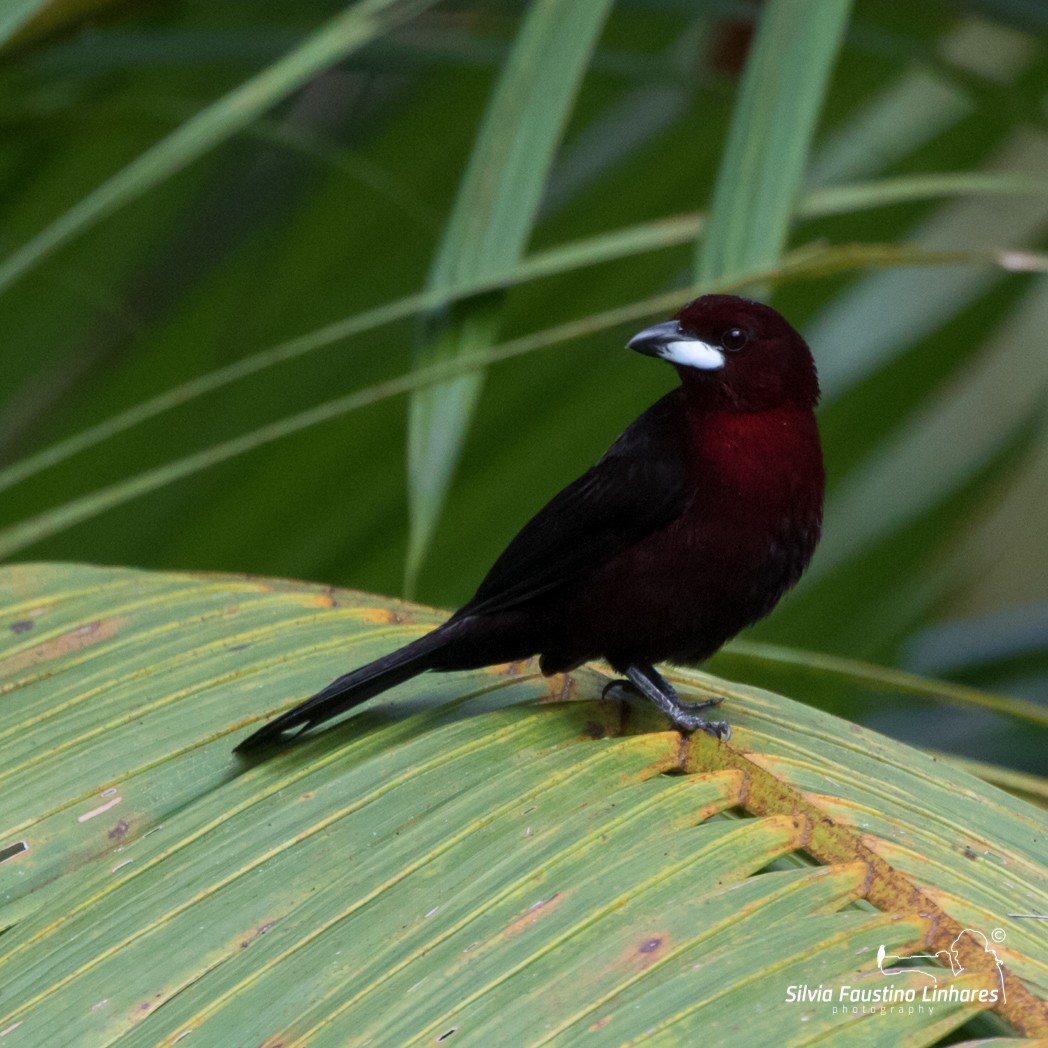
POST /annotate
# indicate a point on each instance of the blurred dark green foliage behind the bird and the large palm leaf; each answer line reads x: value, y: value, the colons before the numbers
x: 127, y: 271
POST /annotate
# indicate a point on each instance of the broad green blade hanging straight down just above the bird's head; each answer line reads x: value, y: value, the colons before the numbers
x: 775, y: 120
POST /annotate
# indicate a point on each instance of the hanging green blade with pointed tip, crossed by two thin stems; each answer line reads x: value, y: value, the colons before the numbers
x: 488, y: 232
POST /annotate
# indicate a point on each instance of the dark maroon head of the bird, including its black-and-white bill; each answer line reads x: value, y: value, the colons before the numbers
x: 734, y: 354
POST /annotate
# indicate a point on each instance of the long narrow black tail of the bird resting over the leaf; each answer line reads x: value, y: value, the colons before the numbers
x: 353, y: 689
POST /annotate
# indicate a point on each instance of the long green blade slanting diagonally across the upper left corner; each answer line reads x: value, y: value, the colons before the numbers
x: 348, y: 32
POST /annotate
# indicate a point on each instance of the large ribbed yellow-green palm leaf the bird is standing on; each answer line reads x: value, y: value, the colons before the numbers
x: 474, y: 853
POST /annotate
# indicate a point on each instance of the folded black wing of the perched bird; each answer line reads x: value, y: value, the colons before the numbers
x: 641, y: 486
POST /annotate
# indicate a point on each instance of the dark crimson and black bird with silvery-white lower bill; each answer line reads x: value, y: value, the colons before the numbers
x: 692, y: 527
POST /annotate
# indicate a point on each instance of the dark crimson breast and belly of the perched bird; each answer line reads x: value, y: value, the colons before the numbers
x: 749, y: 532
